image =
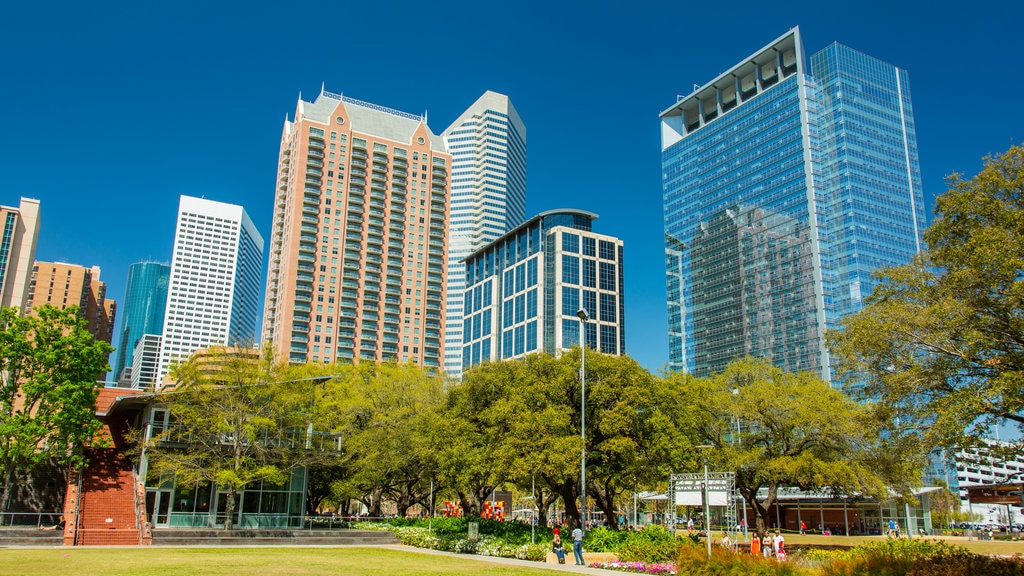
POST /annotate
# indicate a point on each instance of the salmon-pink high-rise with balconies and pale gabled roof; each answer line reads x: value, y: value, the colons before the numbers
x: 359, y: 245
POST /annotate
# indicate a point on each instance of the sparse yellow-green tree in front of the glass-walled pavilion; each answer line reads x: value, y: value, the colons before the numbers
x: 234, y: 424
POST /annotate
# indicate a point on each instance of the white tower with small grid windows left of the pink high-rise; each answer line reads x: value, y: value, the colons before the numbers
x: 214, y: 293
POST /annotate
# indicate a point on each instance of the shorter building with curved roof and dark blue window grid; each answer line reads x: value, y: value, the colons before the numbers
x: 526, y: 291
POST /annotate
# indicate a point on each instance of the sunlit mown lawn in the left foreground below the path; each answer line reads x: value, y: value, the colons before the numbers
x: 236, y: 562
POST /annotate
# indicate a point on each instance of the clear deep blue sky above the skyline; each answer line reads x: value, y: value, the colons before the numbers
x: 112, y: 110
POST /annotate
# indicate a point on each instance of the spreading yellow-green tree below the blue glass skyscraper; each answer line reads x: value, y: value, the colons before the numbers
x: 794, y: 431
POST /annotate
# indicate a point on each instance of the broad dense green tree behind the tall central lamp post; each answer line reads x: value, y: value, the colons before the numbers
x: 520, y: 421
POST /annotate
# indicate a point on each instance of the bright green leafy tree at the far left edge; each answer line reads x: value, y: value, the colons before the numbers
x: 49, y: 368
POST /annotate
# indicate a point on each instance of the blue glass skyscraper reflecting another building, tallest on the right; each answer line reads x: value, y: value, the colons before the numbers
x: 785, y: 188
